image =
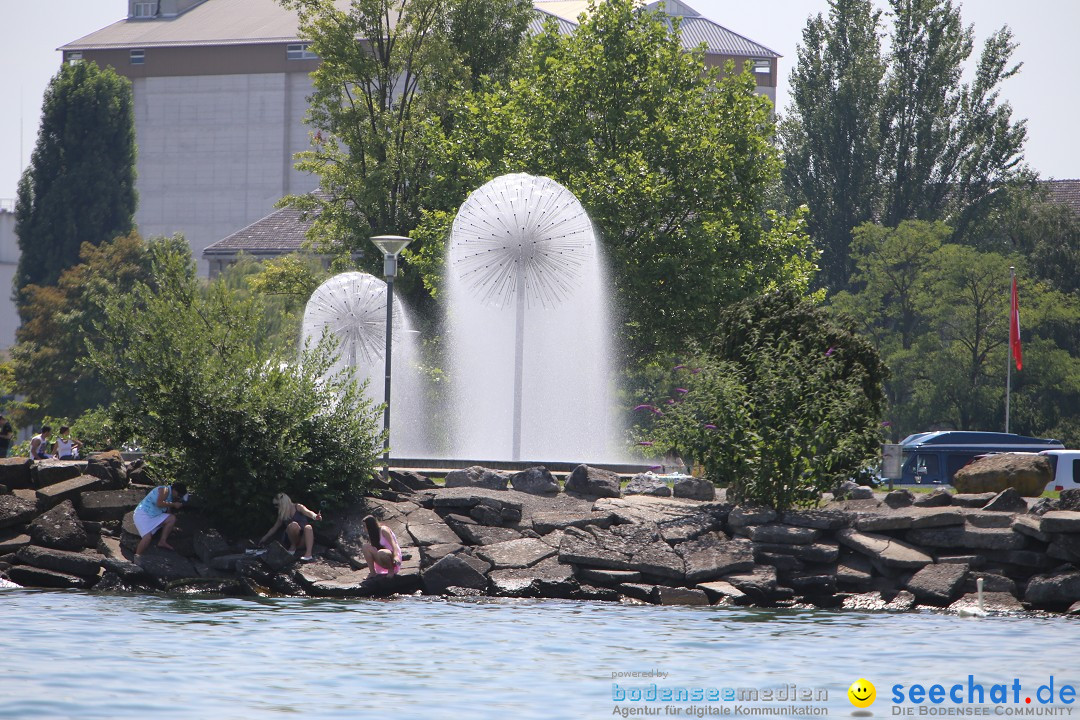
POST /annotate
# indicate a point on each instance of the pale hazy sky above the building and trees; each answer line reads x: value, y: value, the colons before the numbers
x: 1047, y: 92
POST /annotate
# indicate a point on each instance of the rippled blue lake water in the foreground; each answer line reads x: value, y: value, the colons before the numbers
x: 66, y: 655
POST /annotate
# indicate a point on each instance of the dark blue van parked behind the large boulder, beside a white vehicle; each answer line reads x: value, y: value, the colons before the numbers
x: 934, y: 458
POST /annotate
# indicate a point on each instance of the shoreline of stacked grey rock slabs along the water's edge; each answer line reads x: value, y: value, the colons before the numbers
x: 517, y: 536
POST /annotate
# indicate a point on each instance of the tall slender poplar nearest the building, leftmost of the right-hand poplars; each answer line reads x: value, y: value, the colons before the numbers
x: 832, y: 138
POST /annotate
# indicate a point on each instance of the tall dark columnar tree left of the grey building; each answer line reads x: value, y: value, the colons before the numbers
x: 80, y: 185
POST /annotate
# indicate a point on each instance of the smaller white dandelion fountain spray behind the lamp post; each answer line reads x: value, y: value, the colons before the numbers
x: 353, y: 308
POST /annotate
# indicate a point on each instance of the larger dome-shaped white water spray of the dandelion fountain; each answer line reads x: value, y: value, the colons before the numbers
x: 530, y: 328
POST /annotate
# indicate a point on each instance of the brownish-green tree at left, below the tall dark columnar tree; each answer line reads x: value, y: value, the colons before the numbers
x: 61, y: 320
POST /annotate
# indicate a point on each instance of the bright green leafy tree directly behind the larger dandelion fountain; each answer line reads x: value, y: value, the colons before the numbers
x: 672, y: 162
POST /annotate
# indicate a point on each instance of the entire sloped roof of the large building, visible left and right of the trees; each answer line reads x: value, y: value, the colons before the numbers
x: 256, y: 22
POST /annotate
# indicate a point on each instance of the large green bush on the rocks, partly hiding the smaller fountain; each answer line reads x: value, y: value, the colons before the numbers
x: 196, y: 381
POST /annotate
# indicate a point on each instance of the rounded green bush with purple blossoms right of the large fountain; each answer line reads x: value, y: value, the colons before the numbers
x: 787, y: 405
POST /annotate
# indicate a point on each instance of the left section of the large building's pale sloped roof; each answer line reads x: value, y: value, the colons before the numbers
x: 211, y: 23
